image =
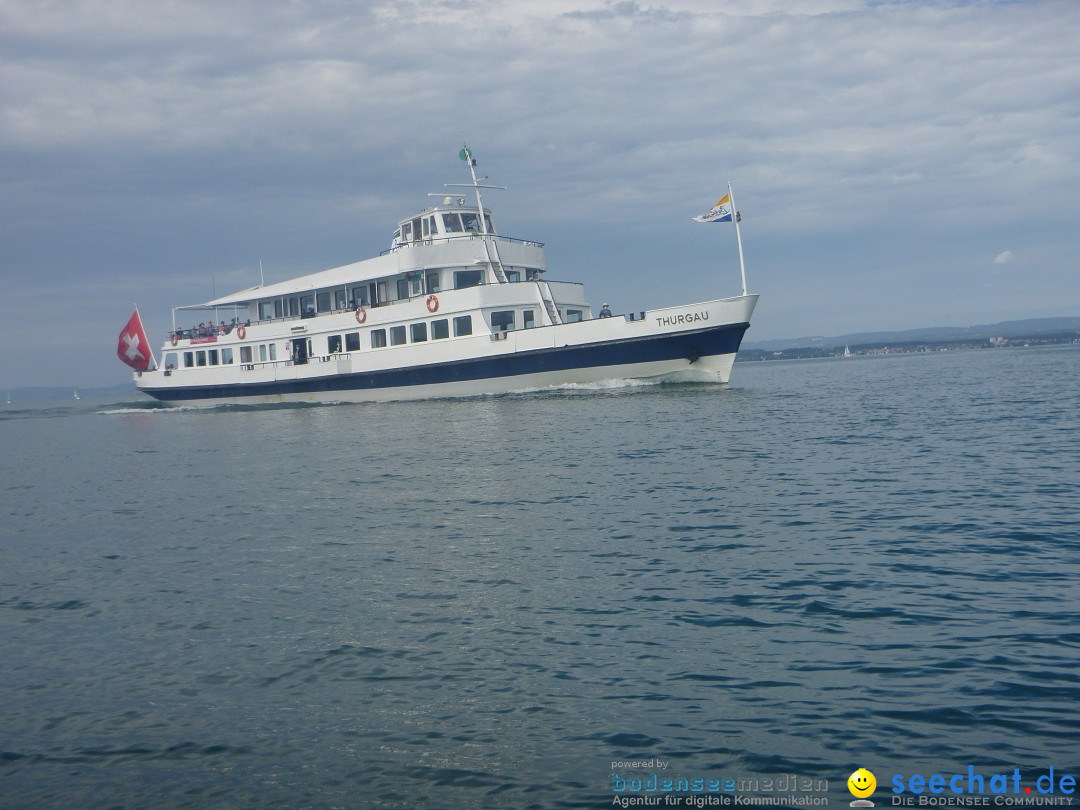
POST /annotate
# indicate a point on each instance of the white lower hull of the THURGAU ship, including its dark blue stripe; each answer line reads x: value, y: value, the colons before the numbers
x: 694, y: 343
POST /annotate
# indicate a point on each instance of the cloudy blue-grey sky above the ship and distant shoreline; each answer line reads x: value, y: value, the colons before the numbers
x: 897, y: 165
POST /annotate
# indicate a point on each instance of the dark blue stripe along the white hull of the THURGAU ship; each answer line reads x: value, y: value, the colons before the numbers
x: 686, y: 345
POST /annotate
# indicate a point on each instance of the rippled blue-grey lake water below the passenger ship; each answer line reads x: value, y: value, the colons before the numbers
x: 488, y: 603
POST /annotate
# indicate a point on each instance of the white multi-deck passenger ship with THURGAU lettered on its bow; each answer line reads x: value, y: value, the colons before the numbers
x: 452, y: 309
